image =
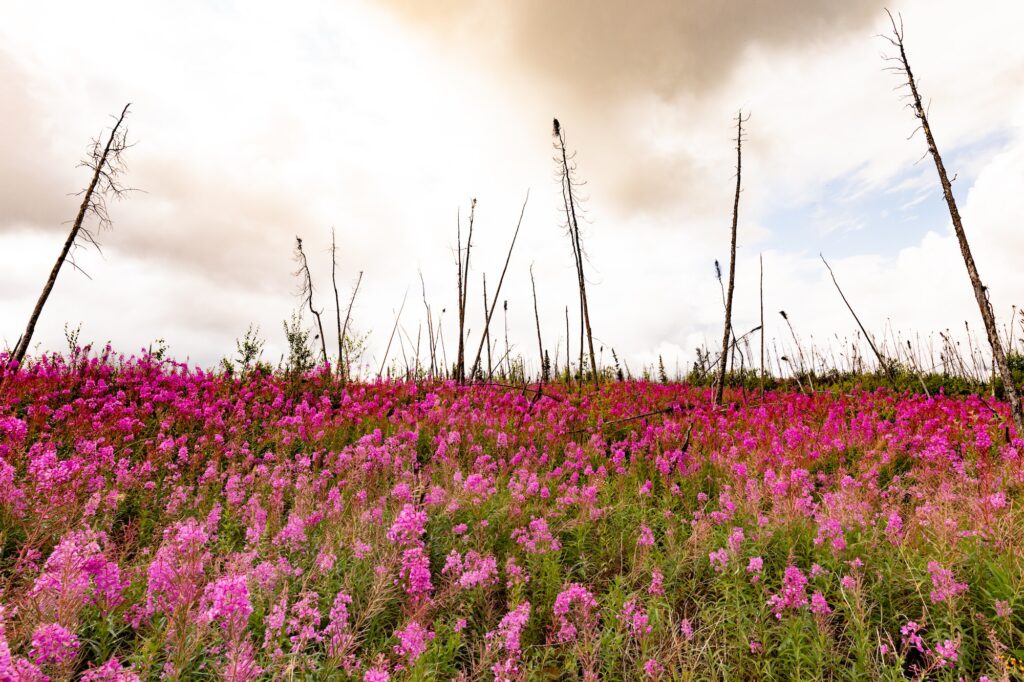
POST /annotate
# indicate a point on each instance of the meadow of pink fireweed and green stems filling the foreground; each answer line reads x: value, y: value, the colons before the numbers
x: 159, y: 522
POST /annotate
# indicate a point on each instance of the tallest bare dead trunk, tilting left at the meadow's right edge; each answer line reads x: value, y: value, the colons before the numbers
x: 903, y: 66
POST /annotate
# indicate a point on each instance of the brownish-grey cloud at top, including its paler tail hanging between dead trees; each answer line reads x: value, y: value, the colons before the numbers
x: 592, y: 62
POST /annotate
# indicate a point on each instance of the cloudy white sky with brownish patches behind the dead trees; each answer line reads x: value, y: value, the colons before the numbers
x: 382, y: 119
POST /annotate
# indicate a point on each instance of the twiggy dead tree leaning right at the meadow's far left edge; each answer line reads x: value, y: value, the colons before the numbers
x: 107, y: 165
